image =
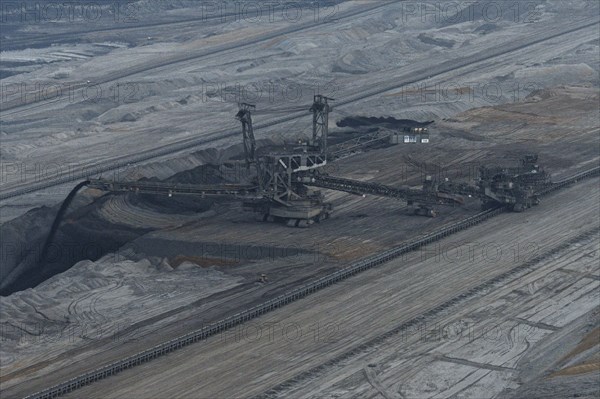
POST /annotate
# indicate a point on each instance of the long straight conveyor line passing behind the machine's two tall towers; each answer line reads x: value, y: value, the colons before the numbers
x: 186, y: 145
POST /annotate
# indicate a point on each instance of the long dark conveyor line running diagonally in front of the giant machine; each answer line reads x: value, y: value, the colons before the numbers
x: 289, y: 297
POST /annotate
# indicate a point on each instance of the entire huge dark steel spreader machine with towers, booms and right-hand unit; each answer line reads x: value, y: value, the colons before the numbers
x: 284, y: 188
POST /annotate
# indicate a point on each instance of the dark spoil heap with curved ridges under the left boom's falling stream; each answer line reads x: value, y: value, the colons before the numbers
x: 98, y: 225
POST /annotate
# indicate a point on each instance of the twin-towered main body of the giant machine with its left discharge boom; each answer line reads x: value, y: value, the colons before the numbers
x: 275, y: 194
